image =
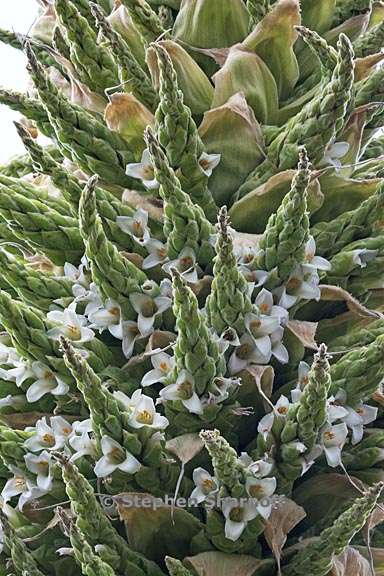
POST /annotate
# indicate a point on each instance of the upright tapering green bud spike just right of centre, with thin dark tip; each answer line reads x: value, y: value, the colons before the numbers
x: 229, y: 300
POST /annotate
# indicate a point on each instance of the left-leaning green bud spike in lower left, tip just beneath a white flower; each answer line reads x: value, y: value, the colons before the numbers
x: 106, y: 416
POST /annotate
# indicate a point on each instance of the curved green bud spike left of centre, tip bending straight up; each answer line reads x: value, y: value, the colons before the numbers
x: 114, y: 275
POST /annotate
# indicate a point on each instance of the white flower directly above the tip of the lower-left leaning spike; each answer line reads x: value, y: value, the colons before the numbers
x: 70, y: 325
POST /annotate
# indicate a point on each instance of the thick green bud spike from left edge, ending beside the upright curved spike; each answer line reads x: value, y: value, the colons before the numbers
x: 42, y: 227
